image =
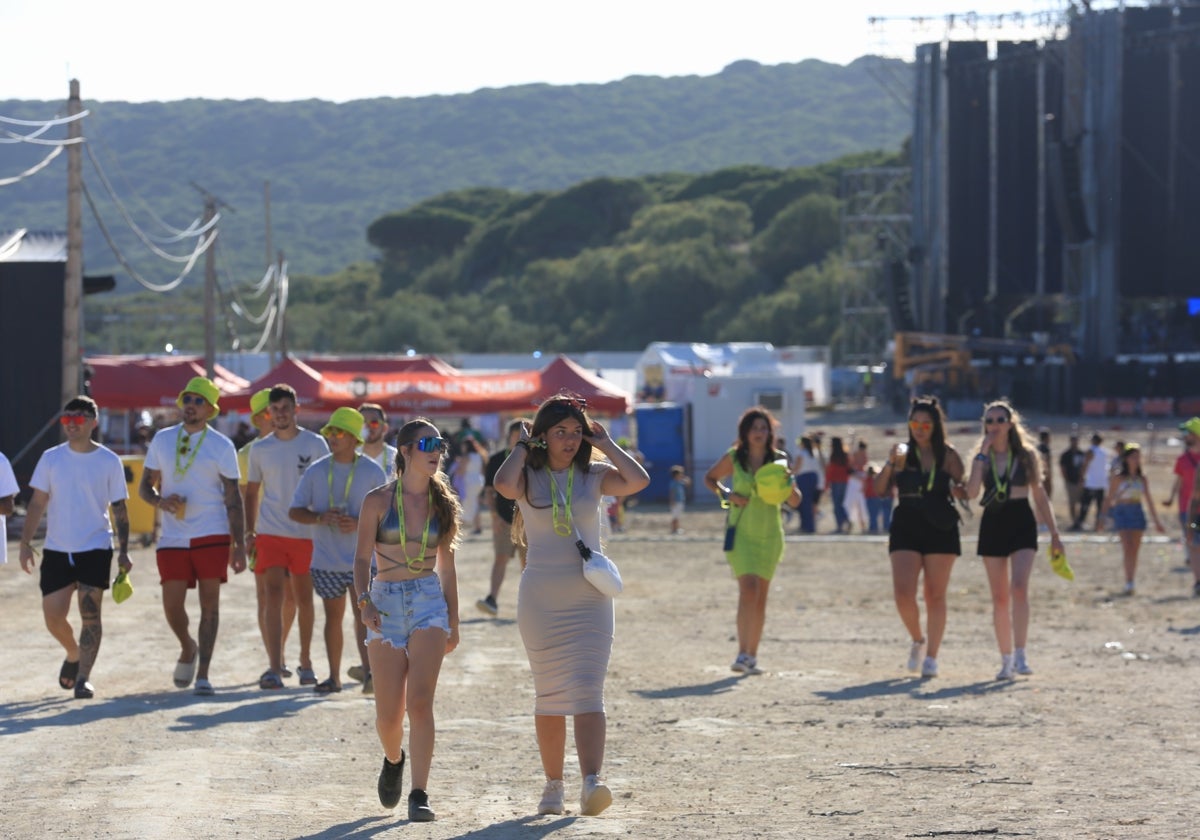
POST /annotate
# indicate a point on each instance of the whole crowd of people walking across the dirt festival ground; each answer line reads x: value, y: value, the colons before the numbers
x: 359, y: 521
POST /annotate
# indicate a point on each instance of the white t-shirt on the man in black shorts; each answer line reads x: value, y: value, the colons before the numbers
x: 82, y: 487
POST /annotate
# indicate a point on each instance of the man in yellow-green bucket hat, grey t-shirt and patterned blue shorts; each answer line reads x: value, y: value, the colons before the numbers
x: 329, y: 499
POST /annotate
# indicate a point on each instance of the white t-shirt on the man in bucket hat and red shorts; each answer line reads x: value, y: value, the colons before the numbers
x: 194, y: 469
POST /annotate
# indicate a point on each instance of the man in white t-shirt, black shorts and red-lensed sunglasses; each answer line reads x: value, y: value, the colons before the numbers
x: 75, y: 484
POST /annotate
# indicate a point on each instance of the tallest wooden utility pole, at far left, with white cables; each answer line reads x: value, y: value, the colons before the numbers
x: 73, y: 291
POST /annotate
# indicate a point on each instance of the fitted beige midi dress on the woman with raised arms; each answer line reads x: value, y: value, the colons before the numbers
x: 566, y: 623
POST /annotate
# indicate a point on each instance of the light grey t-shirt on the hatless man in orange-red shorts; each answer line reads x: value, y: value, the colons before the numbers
x: 278, y: 465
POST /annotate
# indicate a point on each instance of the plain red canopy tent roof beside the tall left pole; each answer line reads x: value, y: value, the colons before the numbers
x: 130, y: 383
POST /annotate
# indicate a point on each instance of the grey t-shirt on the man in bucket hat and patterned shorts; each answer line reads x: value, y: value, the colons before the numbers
x: 333, y: 550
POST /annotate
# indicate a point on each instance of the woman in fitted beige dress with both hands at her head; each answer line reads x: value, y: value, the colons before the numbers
x: 566, y: 623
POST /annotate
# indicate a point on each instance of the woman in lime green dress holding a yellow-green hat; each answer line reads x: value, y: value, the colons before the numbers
x: 758, y: 529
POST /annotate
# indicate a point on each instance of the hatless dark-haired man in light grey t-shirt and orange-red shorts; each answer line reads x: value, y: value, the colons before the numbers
x: 280, y: 544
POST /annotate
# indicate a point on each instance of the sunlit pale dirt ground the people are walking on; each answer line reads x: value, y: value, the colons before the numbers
x: 835, y: 741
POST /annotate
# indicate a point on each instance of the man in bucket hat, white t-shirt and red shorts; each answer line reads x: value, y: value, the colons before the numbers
x: 191, y: 476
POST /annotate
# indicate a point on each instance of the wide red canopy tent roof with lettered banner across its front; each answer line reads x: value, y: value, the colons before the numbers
x: 425, y: 387
